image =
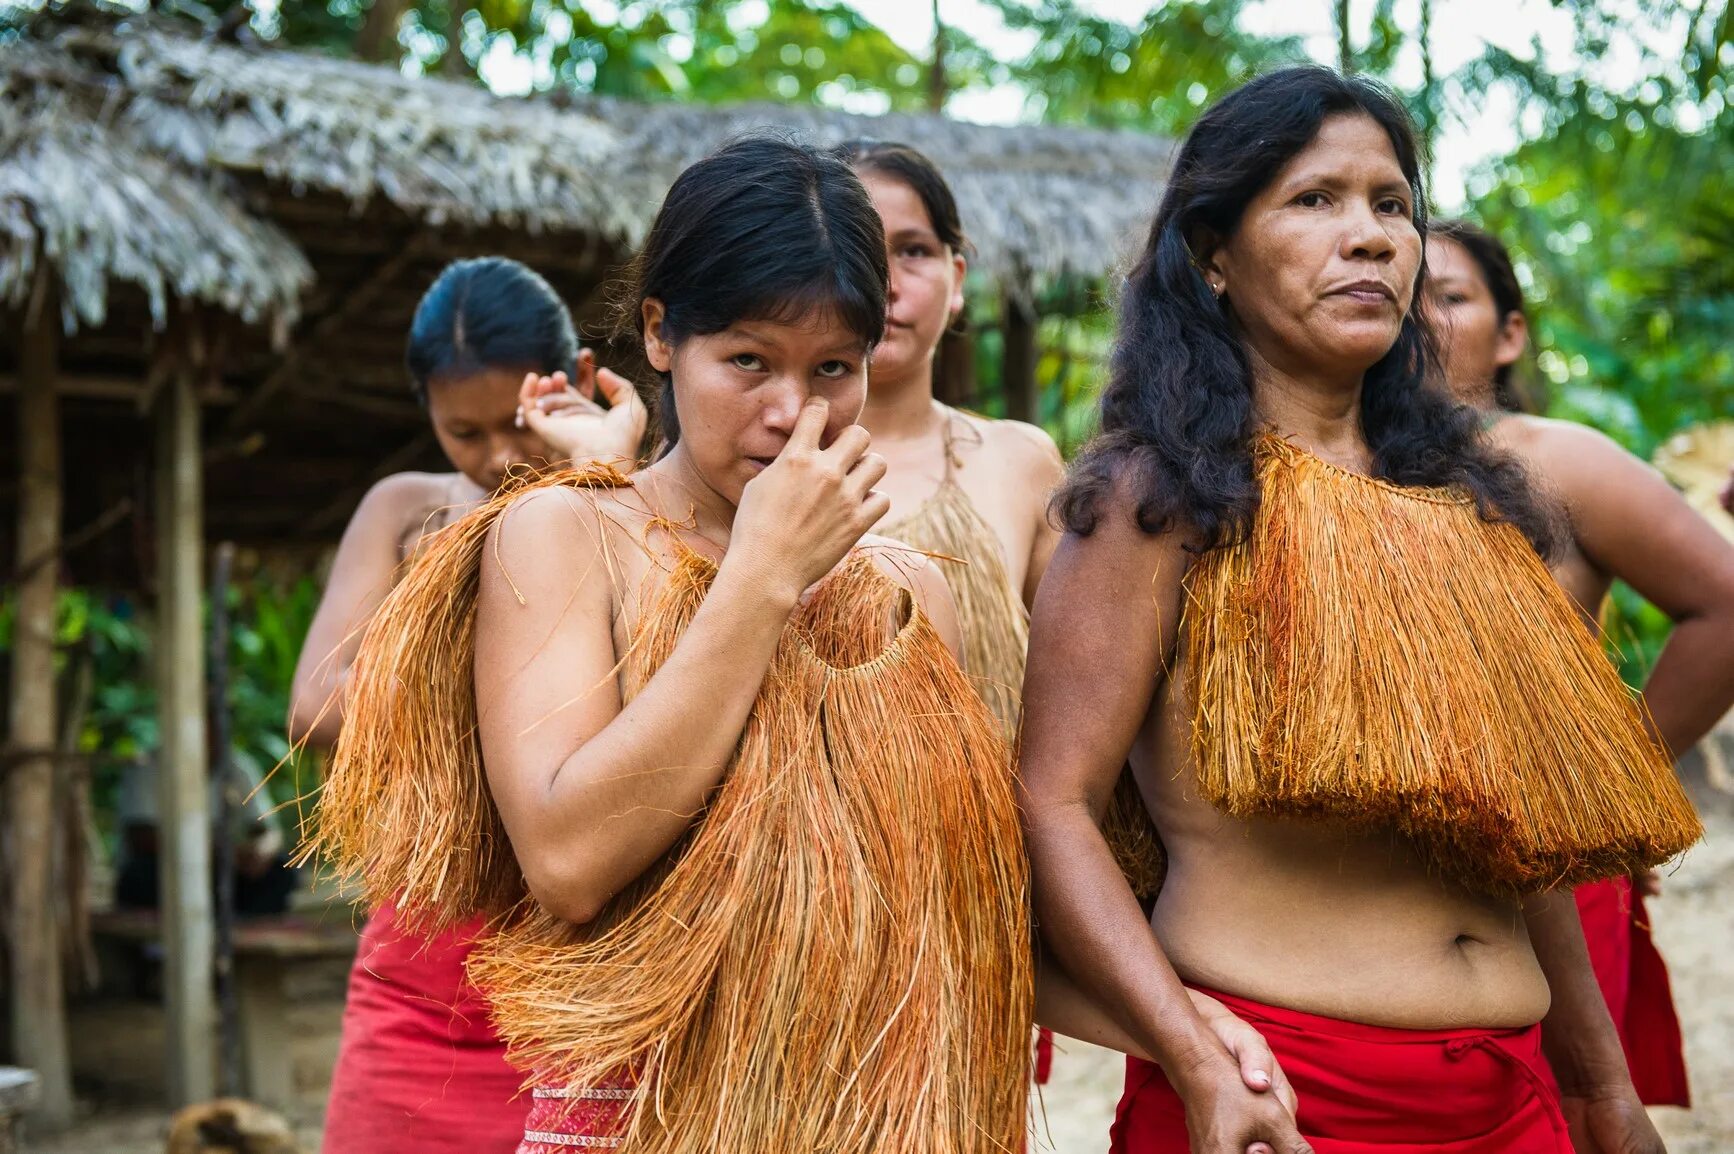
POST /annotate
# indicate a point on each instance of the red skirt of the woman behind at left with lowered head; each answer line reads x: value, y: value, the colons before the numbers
x: 420, y: 1070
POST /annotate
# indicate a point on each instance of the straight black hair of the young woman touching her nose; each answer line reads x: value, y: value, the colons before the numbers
x: 764, y: 230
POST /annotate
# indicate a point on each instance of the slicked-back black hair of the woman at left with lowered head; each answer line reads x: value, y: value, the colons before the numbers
x: 488, y: 314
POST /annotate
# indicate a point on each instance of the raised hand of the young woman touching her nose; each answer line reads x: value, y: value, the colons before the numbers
x: 809, y: 507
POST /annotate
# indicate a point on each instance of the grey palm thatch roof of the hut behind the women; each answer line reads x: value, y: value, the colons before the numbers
x: 303, y: 204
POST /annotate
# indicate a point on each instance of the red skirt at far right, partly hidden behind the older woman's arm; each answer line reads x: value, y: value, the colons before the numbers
x: 1634, y: 982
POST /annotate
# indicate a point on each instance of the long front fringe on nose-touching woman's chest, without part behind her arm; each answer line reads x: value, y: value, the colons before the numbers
x: 837, y: 957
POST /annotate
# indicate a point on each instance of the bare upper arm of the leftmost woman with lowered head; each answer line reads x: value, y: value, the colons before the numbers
x: 362, y: 576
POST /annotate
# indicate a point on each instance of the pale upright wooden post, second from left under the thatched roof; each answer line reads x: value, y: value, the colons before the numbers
x: 185, y: 827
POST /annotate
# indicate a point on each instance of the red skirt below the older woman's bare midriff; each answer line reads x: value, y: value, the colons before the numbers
x: 1378, y: 1091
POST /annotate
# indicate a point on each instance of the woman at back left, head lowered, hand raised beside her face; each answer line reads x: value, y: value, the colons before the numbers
x: 492, y: 351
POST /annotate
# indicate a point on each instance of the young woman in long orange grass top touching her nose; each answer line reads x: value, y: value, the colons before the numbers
x: 746, y: 829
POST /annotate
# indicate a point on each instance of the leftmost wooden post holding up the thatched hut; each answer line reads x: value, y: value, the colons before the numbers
x: 39, y: 1004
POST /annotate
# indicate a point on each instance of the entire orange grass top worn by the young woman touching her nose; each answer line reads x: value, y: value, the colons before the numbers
x: 837, y: 956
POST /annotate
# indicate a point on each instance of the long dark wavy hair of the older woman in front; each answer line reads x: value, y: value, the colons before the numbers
x: 1178, y: 425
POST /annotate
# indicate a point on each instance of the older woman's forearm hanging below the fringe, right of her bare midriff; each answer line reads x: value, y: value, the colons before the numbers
x: 1581, y: 1039
